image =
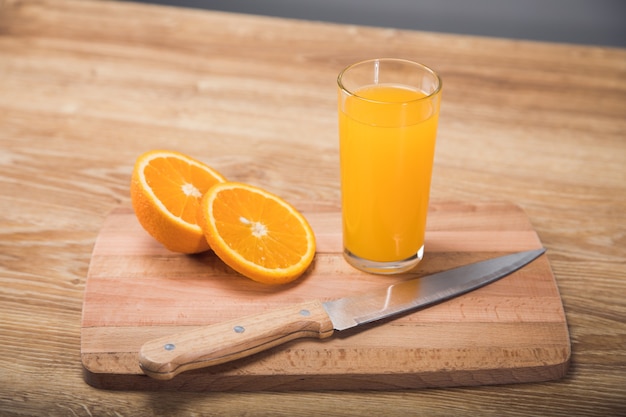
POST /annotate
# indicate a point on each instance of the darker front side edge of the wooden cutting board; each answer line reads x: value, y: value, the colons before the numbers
x: 199, y: 382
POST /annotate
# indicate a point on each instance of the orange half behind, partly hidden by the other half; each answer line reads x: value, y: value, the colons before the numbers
x: 166, y: 189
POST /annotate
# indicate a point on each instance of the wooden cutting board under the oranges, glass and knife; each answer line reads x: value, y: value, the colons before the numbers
x: 511, y: 331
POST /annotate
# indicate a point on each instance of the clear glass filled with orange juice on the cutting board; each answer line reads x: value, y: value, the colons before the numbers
x: 388, y: 114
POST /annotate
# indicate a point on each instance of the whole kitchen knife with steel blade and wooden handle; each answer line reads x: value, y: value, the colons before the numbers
x: 166, y: 357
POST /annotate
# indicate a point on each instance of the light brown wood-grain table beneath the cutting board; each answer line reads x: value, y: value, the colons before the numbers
x: 86, y: 86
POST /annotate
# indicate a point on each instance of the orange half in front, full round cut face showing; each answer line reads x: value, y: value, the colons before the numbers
x: 256, y: 233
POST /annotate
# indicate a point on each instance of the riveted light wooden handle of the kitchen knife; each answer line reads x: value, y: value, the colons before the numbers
x: 166, y: 357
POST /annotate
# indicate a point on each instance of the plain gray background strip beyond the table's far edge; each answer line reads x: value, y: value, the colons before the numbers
x: 591, y: 22
